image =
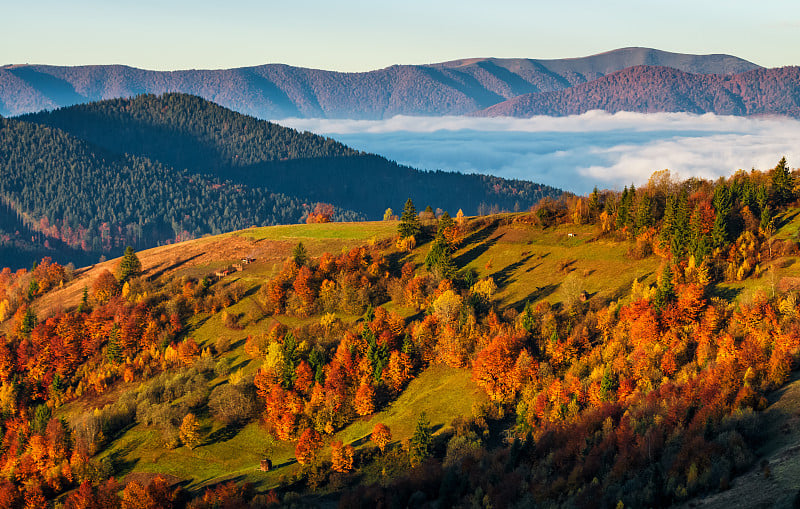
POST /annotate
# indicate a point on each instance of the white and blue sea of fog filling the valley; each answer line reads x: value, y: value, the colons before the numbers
x: 574, y: 153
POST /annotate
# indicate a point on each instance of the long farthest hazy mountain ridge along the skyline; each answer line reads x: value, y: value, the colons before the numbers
x: 277, y: 91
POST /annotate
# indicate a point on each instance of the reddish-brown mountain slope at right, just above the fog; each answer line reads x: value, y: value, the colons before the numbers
x: 649, y: 89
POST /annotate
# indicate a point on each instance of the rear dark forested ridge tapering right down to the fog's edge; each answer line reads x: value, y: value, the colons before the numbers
x: 189, y: 132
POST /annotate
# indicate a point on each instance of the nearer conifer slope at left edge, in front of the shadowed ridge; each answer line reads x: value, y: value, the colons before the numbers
x: 96, y: 200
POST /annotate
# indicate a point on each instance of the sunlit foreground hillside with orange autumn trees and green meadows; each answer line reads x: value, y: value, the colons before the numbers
x: 633, y: 348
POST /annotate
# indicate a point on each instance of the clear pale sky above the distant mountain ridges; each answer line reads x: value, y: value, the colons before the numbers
x: 355, y: 35
